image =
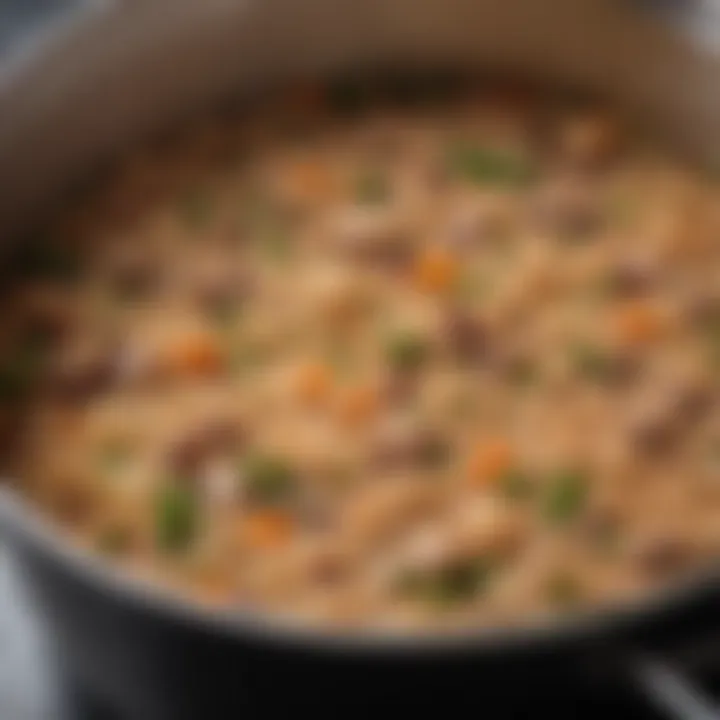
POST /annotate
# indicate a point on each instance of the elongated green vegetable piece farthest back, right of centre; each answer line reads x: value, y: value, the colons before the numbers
x: 488, y: 166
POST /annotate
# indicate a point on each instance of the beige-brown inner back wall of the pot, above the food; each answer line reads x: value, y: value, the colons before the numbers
x: 97, y: 84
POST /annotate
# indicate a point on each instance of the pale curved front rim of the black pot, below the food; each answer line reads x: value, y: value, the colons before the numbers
x: 27, y: 528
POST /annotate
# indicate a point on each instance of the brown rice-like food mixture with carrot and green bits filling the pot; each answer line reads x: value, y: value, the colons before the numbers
x: 437, y: 360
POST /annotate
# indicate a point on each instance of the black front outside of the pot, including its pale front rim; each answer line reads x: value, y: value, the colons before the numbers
x: 150, y: 655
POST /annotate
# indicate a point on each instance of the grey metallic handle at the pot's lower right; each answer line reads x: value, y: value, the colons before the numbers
x: 671, y: 691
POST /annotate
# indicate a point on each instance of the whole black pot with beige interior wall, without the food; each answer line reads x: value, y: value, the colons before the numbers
x: 96, y: 80
